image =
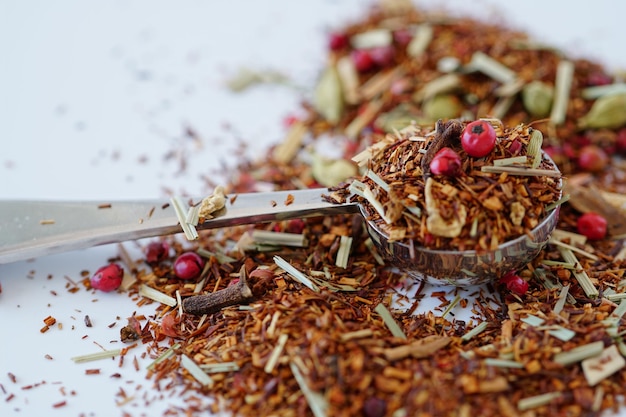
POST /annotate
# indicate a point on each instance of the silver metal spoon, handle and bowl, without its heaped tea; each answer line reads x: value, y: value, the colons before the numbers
x: 30, y: 229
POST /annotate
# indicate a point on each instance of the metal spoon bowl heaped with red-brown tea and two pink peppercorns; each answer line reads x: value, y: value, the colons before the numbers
x: 463, y: 202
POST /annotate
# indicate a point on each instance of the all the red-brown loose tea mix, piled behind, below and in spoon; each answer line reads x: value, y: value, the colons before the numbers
x: 315, y: 328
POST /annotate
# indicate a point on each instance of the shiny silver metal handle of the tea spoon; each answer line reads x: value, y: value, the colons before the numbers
x: 30, y: 228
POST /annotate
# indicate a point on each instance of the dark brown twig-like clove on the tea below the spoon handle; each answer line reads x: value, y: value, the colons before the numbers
x: 211, y: 303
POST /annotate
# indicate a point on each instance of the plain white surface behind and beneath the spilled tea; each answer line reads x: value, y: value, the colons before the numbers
x: 88, y: 89
